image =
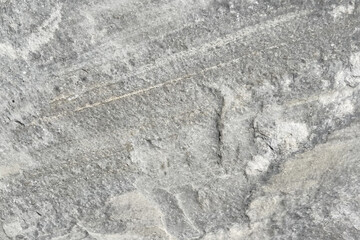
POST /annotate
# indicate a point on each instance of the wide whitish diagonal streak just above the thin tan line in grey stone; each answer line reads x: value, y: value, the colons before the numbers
x: 247, y: 31
